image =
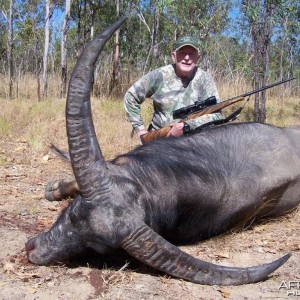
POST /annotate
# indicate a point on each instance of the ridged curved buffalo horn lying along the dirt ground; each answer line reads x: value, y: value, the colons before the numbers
x: 150, y: 248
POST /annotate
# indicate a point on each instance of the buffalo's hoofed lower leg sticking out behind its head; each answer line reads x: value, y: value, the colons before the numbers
x: 60, y: 189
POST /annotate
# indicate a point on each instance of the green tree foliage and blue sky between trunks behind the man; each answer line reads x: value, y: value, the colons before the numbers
x: 148, y: 37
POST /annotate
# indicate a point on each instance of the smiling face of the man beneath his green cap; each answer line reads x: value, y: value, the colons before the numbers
x: 185, y: 60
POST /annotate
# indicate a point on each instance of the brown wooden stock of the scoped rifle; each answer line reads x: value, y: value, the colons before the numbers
x: 161, y: 133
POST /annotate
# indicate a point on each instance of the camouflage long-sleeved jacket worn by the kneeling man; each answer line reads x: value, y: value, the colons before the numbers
x: 169, y: 93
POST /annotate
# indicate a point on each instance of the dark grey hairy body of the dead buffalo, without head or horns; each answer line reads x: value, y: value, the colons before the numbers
x: 199, y: 186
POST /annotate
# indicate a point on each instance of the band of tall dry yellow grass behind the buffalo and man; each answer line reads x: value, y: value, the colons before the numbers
x: 42, y: 123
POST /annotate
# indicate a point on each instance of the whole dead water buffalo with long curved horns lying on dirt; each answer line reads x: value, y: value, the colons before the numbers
x: 169, y: 191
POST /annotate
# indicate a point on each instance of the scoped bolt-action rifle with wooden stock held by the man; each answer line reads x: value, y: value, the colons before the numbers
x: 200, y: 108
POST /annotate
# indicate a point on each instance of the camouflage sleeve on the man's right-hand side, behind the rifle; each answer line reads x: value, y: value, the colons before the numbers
x: 210, y: 90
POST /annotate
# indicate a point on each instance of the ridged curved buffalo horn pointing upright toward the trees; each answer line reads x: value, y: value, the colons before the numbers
x: 88, y: 163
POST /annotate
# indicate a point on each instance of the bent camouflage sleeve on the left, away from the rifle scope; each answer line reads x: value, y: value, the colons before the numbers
x: 136, y: 95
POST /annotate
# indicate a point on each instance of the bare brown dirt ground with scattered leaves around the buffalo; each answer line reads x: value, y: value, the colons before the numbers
x: 24, y: 212
